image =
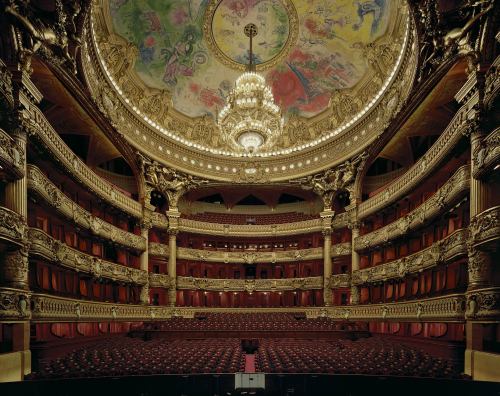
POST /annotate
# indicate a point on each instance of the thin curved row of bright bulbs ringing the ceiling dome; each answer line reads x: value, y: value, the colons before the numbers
x: 265, y: 154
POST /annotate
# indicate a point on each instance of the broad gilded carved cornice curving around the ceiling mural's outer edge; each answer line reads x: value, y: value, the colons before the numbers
x: 142, y: 133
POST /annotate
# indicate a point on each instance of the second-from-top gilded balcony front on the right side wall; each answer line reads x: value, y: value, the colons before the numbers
x: 443, y: 198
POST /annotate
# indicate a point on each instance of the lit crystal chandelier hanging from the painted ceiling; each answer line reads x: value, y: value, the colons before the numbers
x: 250, y: 117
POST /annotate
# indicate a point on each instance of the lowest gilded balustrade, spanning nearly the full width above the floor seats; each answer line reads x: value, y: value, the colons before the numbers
x: 450, y: 308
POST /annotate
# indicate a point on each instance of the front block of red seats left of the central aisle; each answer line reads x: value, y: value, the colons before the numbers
x: 124, y: 356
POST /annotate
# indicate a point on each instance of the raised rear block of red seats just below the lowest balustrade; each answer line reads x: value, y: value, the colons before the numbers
x: 250, y: 321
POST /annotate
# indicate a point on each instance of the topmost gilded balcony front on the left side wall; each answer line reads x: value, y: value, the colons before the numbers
x: 40, y: 128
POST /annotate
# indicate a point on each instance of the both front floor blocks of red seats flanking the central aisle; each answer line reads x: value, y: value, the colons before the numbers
x: 124, y: 356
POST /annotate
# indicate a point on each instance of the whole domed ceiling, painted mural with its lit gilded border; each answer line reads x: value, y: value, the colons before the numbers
x: 162, y: 71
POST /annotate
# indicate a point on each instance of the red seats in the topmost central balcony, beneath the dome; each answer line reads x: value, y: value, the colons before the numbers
x: 232, y: 218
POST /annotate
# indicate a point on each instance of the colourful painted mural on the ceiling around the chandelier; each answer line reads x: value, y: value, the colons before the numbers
x: 196, y: 48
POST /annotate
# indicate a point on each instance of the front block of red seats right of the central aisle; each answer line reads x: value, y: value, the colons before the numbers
x: 368, y: 356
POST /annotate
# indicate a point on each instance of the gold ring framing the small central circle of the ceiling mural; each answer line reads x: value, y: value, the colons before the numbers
x: 293, y: 32
